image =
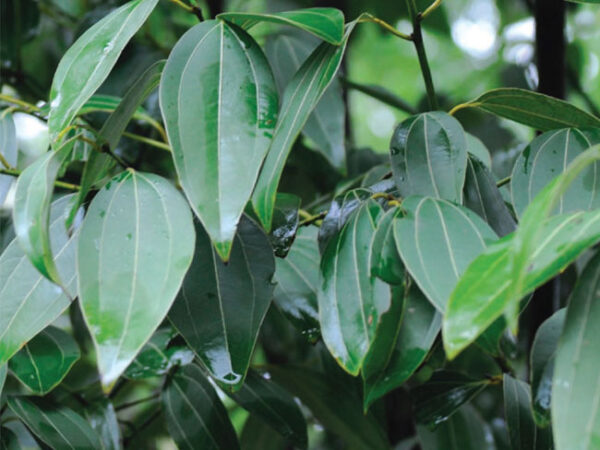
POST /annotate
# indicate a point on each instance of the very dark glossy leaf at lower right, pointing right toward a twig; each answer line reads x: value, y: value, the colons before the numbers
x: 442, y: 395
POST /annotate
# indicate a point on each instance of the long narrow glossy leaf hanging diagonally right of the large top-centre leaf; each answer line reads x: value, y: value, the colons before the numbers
x: 299, y: 100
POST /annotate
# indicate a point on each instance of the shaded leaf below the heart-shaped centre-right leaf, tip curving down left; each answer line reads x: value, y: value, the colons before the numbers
x: 419, y: 327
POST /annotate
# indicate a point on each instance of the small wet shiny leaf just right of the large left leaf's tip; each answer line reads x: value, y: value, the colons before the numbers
x: 157, y: 356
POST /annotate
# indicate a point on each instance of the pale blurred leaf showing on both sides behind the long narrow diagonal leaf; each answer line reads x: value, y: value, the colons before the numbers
x: 325, y: 126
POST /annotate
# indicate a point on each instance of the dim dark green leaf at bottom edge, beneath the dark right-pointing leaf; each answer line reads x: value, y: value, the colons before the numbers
x: 465, y: 430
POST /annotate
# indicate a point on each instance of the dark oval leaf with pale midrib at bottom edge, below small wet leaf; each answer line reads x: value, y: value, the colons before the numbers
x: 195, y: 416
